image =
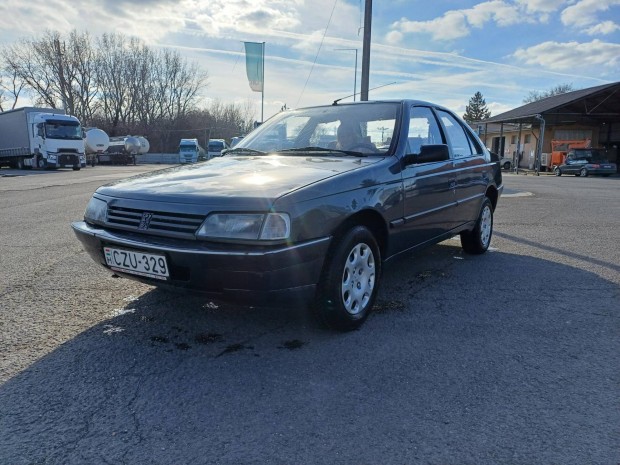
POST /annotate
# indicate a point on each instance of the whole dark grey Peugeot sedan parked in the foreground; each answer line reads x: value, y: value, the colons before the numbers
x: 306, y: 209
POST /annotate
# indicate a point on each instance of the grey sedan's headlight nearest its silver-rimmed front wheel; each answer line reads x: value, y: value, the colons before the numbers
x: 252, y: 226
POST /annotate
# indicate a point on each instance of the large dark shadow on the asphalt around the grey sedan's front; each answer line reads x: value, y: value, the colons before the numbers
x: 454, y: 352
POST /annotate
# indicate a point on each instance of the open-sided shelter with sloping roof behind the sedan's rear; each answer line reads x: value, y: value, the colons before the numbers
x: 595, y: 110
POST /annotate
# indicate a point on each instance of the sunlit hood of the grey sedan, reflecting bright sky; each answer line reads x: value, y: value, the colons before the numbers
x: 232, y: 180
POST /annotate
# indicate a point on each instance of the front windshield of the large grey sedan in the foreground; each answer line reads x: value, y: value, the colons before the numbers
x: 364, y: 128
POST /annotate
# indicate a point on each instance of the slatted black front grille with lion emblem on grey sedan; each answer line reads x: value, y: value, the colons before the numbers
x: 154, y: 222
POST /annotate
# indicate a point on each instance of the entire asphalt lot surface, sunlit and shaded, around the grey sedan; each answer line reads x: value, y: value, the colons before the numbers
x: 512, y: 357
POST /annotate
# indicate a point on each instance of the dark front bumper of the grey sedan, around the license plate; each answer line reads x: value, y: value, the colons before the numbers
x: 278, y: 275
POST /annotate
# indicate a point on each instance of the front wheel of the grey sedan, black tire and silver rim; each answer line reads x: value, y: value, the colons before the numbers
x: 350, y: 280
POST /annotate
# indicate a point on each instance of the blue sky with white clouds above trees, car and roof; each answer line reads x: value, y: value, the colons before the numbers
x: 440, y: 51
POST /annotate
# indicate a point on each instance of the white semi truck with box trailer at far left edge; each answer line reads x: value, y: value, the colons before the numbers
x: 41, y: 138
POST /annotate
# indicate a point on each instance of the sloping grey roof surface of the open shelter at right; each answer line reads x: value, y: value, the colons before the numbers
x: 548, y: 104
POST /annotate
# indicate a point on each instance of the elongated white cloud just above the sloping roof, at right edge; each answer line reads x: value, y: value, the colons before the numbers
x: 571, y: 55
